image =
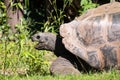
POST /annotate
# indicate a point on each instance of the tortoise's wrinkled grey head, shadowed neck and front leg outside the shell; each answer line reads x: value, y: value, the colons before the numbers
x: 66, y: 63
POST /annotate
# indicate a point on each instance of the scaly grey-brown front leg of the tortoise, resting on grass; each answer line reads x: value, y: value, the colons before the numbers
x: 63, y: 66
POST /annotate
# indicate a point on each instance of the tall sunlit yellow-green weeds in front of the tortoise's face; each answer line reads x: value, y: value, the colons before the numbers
x: 18, y: 55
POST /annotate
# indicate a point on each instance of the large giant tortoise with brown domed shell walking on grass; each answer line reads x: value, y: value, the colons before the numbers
x: 91, y: 41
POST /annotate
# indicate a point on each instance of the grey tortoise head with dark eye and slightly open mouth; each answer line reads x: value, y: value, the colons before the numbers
x: 46, y: 41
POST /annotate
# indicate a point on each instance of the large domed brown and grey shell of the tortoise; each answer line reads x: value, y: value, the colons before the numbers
x: 95, y: 36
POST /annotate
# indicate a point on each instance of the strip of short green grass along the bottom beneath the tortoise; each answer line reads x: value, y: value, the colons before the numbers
x: 112, y: 75
